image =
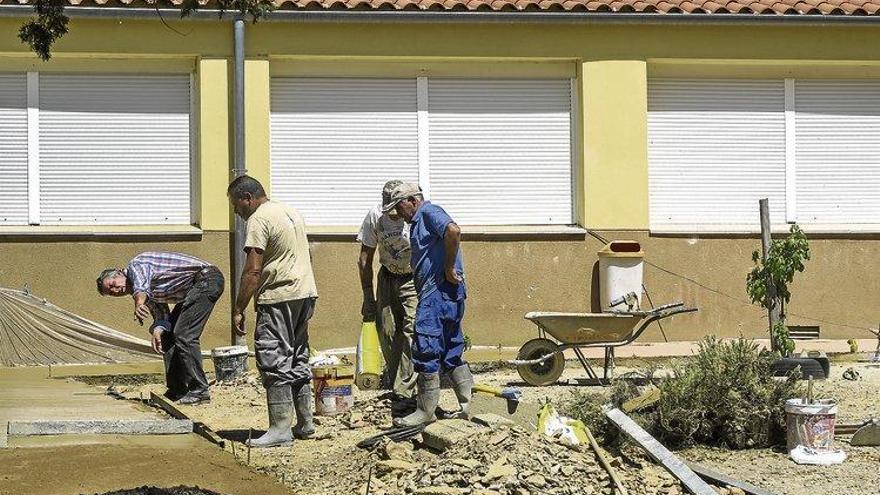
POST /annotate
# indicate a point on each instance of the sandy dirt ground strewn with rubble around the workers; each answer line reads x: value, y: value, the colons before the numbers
x: 333, y: 464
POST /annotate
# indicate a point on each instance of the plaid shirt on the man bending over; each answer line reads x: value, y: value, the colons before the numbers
x: 165, y: 278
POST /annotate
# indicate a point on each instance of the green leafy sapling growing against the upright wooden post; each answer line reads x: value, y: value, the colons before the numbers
x: 785, y: 259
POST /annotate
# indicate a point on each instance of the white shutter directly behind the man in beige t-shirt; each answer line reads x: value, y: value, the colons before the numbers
x: 335, y: 141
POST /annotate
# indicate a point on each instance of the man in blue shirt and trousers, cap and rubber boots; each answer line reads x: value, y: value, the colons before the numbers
x: 439, y: 280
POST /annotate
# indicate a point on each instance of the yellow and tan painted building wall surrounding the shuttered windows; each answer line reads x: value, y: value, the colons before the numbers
x: 508, y: 276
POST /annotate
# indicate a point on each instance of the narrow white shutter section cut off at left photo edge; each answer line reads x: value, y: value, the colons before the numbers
x: 13, y: 150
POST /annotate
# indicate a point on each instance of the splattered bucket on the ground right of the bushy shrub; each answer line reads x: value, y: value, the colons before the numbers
x: 810, y: 425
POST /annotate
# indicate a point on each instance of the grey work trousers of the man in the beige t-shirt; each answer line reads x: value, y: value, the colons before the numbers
x: 281, y: 342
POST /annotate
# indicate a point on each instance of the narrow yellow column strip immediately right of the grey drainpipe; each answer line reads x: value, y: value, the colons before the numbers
x: 256, y: 120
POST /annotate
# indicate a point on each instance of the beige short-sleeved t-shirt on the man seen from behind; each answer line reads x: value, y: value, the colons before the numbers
x: 279, y: 231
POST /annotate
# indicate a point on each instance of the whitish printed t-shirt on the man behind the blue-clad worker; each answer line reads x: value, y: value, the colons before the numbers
x: 390, y: 237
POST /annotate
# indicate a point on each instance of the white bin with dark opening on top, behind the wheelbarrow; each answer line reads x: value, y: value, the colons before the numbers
x: 621, y: 267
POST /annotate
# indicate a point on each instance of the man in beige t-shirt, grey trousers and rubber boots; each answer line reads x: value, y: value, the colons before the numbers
x: 278, y: 271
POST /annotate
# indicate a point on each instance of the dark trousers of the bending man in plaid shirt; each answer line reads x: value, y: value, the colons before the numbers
x: 183, y: 354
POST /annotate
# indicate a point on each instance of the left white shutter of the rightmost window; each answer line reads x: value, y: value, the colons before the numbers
x: 715, y: 147
